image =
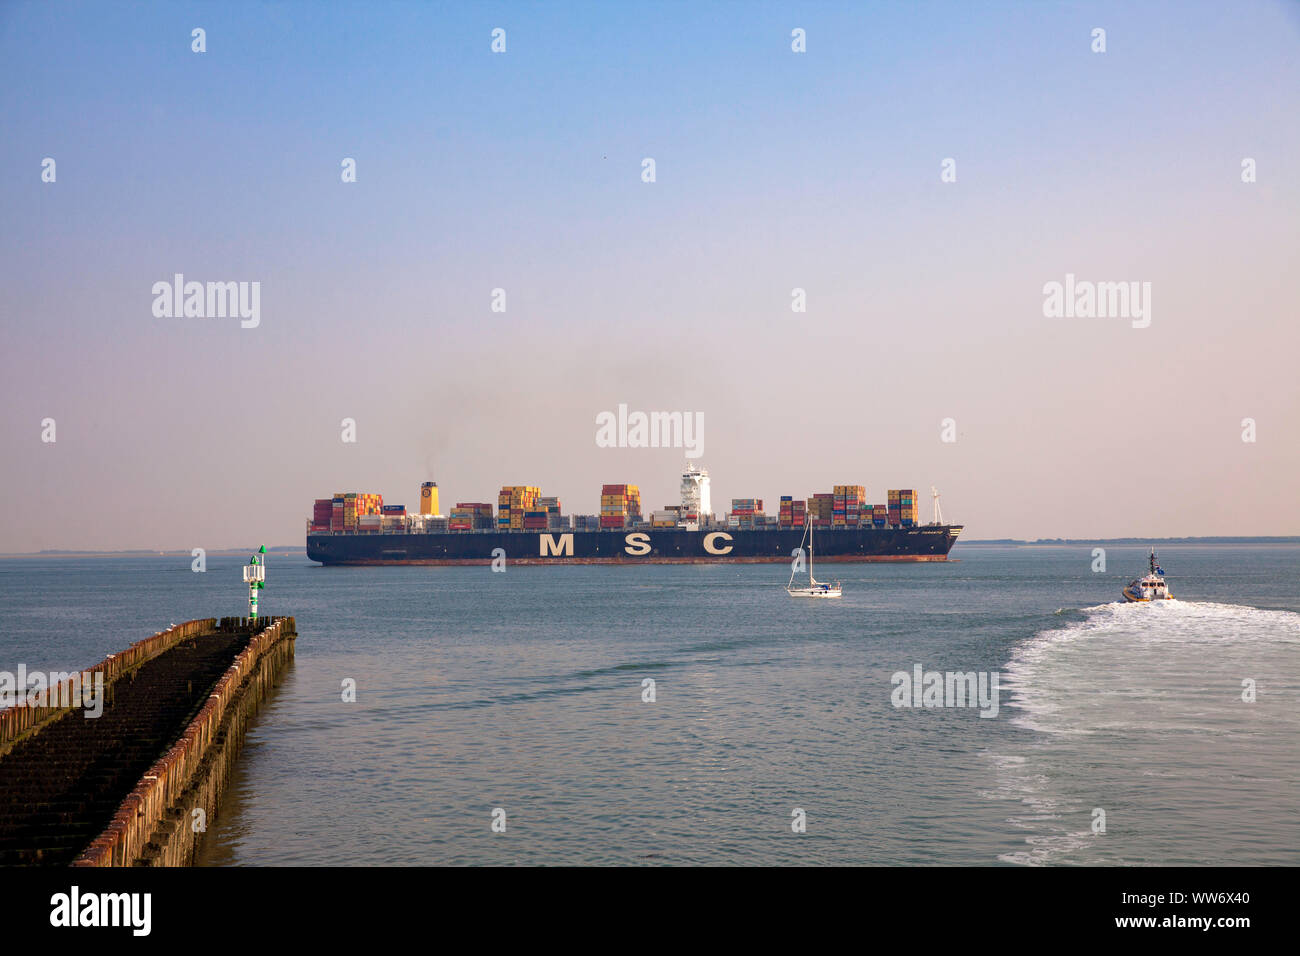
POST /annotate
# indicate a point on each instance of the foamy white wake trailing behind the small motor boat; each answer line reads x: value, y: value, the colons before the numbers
x: 1143, y: 710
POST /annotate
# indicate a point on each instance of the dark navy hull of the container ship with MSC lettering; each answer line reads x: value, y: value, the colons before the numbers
x: 648, y: 547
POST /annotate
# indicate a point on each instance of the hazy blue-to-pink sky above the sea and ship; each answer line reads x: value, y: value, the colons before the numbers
x: 523, y: 171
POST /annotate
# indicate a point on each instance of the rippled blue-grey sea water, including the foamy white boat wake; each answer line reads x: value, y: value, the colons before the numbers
x: 523, y: 691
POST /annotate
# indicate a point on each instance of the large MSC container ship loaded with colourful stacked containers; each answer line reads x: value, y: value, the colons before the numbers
x: 530, y: 529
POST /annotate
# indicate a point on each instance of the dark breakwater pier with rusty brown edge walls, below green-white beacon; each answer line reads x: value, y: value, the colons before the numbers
x: 124, y: 789
